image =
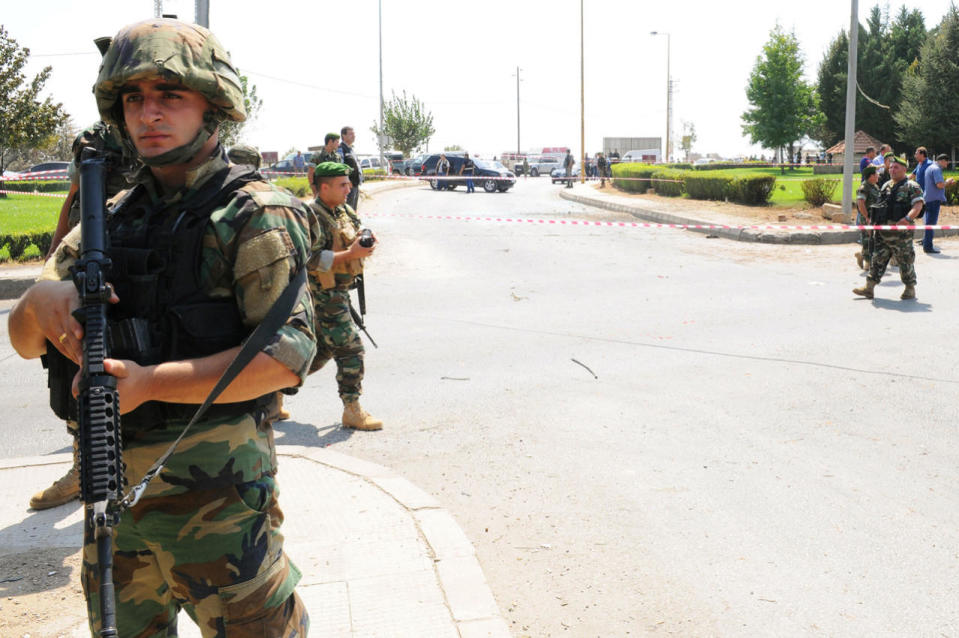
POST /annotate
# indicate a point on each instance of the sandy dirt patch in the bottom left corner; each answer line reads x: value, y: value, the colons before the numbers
x: 40, y: 594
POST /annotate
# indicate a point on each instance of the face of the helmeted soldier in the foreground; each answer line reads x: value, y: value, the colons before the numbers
x: 161, y: 116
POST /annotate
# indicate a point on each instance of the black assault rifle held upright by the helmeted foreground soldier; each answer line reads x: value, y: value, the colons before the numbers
x: 98, y: 413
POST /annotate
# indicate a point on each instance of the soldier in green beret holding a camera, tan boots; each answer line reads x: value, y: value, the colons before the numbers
x: 337, y: 260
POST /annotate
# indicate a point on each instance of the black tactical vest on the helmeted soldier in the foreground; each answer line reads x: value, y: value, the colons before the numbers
x: 163, y: 313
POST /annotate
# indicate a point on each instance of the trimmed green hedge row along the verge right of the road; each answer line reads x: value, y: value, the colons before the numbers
x: 751, y: 190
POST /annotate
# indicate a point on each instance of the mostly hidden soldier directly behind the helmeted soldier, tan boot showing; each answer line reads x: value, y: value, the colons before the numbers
x: 120, y: 166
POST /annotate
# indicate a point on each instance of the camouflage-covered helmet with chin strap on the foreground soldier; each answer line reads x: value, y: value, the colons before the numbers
x: 188, y: 54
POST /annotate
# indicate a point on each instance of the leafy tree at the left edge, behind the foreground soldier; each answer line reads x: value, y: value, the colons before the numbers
x: 25, y: 121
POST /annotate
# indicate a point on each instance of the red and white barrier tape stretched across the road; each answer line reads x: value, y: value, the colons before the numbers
x: 583, y: 222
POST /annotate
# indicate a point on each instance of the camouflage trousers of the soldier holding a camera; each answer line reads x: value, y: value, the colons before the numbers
x: 337, y: 339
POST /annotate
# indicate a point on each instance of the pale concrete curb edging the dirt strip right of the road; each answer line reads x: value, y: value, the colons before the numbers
x: 735, y: 234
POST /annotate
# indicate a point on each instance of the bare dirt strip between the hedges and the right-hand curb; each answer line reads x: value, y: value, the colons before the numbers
x: 949, y: 215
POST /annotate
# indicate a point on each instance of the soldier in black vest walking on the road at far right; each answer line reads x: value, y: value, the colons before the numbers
x: 904, y: 204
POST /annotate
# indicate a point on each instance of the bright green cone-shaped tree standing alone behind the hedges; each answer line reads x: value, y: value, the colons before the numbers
x: 784, y: 107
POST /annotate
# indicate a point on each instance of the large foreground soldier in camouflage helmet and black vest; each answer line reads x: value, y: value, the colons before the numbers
x: 204, y: 249
